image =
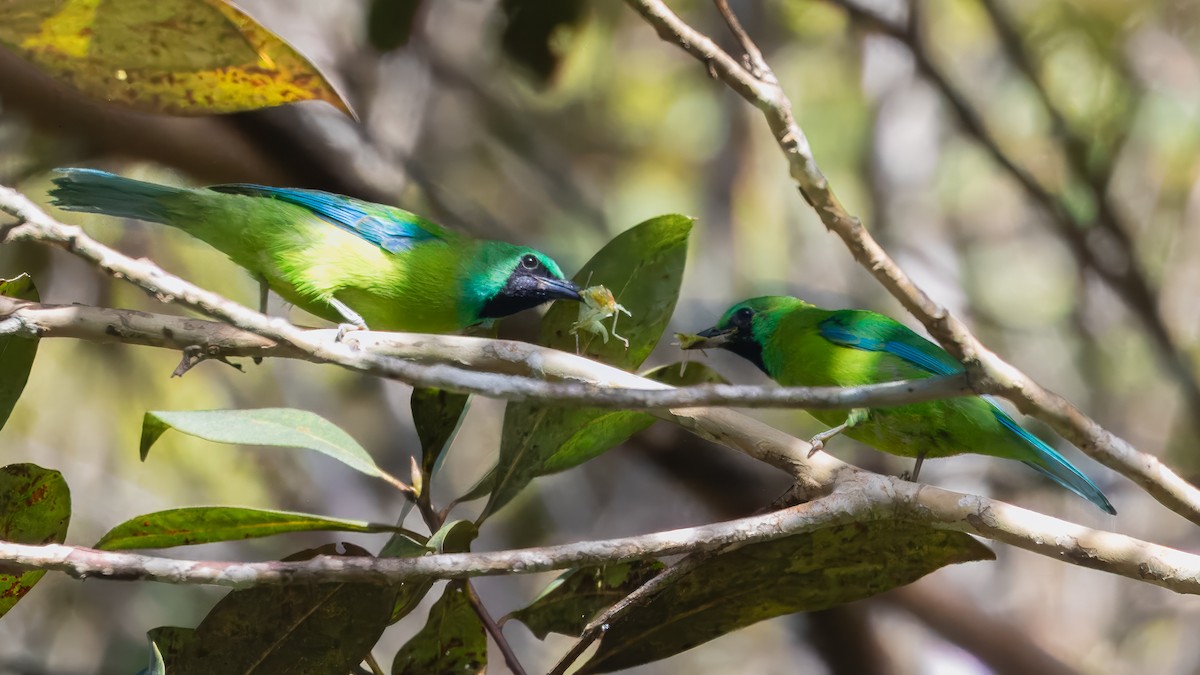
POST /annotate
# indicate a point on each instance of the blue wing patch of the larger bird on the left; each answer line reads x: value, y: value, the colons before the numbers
x: 392, y: 230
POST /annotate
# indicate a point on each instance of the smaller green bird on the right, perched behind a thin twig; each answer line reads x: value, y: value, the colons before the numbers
x: 801, y: 345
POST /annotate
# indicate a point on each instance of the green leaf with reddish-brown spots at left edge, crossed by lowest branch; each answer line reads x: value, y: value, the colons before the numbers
x: 35, y: 509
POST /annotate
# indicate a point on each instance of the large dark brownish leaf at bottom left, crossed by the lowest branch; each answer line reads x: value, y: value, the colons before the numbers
x: 295, y: 629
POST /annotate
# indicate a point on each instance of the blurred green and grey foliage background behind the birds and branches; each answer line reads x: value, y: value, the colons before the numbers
x: 562, y: 124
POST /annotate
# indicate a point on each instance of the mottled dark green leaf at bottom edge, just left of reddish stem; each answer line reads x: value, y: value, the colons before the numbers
x: 453, y: 640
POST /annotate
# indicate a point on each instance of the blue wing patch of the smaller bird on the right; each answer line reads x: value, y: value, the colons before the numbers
x: 875, y: 333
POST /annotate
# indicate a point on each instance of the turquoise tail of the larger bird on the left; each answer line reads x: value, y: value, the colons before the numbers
x: 101, y: 193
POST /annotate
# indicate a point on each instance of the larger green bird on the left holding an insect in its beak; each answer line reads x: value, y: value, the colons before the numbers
x: 337, y: 258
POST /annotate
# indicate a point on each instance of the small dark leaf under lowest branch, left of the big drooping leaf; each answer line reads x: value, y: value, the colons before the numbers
x: 572, y: 601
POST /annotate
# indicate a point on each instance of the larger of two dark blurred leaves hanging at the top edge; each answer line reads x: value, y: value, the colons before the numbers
x: 538, y: 32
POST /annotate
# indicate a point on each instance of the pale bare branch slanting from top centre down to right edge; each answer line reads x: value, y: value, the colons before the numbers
x: 987, y: 372
